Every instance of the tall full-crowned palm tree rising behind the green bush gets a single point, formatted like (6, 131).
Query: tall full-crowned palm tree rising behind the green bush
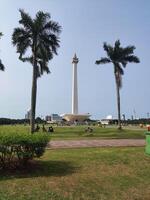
(39, 37)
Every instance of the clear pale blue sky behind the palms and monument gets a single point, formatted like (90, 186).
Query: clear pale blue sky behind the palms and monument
(85, 25)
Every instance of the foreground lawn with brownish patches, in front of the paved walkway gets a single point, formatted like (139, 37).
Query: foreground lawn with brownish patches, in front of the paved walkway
(87, 174)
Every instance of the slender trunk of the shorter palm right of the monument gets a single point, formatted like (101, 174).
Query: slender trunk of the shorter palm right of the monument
(118, 103)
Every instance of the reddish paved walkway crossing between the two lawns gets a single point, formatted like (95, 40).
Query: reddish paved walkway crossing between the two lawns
(97, 143)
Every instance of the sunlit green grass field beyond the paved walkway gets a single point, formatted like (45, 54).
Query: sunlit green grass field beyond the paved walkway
(78, 132)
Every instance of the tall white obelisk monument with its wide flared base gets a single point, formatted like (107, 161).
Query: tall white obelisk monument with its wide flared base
(75, 116)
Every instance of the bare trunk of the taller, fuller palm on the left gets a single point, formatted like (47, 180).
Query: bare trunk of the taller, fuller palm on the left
(33, 97)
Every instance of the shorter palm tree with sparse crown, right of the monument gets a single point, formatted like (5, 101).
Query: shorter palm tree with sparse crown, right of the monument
(119, 57)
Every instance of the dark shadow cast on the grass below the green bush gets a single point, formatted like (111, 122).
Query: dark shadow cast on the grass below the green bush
(40, 169)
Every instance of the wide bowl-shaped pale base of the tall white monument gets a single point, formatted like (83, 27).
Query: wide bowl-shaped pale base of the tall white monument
(76, 117)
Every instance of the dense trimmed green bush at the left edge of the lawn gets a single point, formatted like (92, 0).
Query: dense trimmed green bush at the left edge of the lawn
(17, 149)
